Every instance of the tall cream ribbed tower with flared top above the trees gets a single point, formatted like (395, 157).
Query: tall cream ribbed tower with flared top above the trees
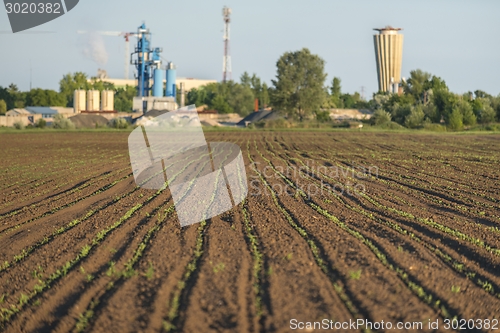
(389, 57)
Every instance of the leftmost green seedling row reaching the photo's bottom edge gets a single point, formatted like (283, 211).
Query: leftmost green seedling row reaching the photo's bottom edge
(129, 271)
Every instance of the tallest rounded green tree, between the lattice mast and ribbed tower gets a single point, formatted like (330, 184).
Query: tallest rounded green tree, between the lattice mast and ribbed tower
(298, 88)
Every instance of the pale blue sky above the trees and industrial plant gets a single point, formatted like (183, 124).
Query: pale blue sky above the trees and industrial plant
(454, 39)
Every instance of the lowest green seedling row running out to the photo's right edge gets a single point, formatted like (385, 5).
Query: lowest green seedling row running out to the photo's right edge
(459, 267)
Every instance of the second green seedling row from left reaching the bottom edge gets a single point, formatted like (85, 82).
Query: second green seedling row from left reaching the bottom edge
(169, 324)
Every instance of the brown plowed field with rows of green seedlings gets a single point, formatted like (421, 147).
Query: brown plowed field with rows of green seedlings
(337, 226)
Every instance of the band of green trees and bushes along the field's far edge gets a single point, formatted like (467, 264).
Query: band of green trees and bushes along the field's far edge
(300, 92)
